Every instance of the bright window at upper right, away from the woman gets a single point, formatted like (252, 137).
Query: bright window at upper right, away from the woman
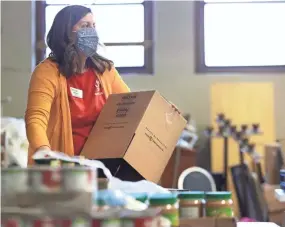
(240, 36)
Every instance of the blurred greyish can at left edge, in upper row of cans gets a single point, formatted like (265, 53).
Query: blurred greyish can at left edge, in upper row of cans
(14, 180)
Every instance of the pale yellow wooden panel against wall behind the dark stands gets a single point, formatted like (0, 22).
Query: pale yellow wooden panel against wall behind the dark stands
(243, 103)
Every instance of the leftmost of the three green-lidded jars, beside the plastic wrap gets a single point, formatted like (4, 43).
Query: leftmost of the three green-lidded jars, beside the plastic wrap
(168, 203)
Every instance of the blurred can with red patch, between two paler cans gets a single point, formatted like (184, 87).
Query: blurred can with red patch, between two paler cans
(46, 179)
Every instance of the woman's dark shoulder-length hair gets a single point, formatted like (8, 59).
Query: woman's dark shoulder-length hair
(62, 43)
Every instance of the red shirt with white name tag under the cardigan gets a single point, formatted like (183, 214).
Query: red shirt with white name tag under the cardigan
(86, 100)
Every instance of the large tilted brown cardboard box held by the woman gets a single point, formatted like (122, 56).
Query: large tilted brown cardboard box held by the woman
(135, 135)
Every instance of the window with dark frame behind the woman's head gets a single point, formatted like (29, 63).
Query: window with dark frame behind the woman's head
(124, 26)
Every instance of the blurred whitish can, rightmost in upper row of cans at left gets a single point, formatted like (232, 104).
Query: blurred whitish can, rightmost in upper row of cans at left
(78, 179)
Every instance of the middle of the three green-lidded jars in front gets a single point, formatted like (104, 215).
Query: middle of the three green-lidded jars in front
(191, 204)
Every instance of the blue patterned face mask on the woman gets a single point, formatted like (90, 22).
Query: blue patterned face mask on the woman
(87, 41)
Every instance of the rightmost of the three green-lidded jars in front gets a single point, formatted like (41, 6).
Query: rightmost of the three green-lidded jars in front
(219, 204)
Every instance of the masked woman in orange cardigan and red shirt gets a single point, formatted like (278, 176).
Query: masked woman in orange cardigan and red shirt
(68, 90)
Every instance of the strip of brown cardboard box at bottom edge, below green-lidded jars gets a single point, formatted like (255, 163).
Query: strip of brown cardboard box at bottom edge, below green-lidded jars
(208, 222)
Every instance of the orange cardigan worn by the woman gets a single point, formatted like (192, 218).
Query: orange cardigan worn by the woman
(48, 121)
